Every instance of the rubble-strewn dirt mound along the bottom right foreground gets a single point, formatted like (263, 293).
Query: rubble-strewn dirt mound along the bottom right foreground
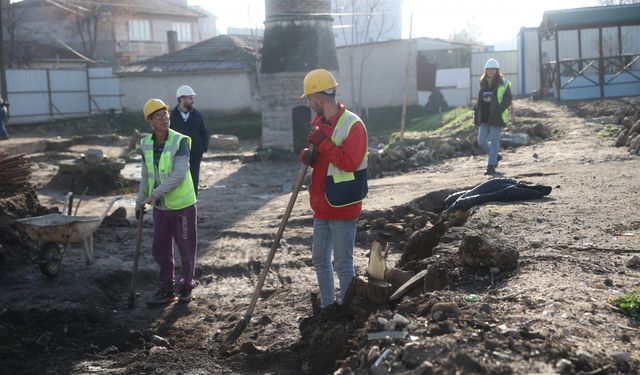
(471, 337)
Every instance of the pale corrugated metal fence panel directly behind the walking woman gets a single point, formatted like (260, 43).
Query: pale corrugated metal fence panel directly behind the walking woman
(508, 66)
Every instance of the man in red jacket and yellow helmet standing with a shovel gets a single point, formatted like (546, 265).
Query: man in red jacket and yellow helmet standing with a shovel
(338, 154)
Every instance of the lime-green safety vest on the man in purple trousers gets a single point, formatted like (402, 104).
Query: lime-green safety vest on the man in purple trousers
(184, 195)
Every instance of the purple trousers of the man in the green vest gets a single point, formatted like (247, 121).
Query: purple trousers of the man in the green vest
(181, 226)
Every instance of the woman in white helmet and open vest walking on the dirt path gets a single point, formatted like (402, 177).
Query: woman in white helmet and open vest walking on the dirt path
(492, 111)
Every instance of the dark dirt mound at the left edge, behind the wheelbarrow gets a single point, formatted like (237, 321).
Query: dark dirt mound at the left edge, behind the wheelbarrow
(15, 248)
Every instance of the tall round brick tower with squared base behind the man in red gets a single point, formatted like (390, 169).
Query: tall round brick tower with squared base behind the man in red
(298, 38)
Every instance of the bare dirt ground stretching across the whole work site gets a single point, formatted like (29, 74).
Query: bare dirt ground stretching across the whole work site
(552, 314)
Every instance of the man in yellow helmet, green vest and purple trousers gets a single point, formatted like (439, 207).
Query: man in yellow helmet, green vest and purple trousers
(166, 185)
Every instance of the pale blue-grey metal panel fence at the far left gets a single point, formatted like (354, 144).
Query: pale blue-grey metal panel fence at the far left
(46, 93)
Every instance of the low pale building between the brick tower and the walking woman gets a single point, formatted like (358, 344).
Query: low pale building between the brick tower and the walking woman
(379, 82)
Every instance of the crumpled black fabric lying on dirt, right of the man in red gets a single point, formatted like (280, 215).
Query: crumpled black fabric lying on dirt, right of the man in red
(495, 190)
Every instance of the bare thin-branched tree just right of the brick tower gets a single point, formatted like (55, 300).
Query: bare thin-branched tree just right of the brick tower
(369, 21)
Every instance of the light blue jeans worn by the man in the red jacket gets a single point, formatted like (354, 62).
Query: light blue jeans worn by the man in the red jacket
(339, 237)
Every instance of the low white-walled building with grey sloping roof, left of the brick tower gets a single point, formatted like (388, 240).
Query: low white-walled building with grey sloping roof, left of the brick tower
(221, 70)
